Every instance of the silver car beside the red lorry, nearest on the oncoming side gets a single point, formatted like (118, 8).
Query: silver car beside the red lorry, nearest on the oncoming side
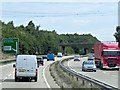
(89, 66)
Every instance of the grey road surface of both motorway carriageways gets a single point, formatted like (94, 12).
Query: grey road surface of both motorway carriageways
(46, 81)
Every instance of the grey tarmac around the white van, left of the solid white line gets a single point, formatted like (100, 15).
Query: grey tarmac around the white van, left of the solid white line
(10, 83)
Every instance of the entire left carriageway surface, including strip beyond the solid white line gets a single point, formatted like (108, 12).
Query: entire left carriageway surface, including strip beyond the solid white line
(44, 78)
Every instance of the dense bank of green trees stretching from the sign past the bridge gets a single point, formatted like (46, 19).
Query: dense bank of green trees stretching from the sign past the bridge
(35, 41)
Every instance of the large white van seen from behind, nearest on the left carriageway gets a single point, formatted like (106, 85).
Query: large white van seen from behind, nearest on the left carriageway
(26, 67)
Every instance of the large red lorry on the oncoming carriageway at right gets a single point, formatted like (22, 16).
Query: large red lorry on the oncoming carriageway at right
(107, 56)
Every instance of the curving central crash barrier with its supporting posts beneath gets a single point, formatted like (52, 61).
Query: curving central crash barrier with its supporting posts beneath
(84, 80)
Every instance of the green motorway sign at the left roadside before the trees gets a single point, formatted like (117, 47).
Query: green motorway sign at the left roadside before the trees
(10, 45)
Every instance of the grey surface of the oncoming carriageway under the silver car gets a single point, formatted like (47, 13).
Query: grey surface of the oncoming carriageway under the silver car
(109, 77)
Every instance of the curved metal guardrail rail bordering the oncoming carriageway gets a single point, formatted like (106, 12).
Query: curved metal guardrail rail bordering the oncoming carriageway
(101, 85)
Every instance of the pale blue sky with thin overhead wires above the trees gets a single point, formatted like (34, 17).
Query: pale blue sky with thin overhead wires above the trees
(100, 19)
